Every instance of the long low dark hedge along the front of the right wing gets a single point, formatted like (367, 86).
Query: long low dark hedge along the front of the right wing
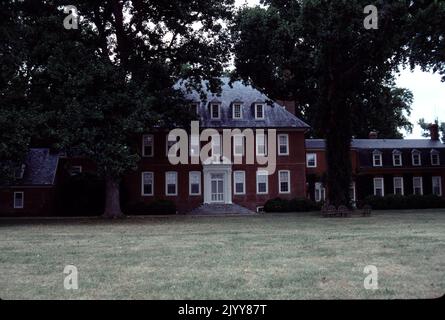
(398, 202)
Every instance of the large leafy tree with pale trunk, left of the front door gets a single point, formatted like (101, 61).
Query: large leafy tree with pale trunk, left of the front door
(112, 78)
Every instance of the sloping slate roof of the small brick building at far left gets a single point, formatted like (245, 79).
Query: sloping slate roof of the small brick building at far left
(41, 167)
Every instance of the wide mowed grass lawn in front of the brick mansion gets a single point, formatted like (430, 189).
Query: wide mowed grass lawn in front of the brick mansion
(292, 256)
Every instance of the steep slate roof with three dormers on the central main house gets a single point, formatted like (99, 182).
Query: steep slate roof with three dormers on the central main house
(276, 116)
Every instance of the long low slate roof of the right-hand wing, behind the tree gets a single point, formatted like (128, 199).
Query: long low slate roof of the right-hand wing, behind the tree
(382, 144)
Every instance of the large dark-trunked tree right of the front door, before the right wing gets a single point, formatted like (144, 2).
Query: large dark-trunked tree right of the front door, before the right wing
(341, 74)
